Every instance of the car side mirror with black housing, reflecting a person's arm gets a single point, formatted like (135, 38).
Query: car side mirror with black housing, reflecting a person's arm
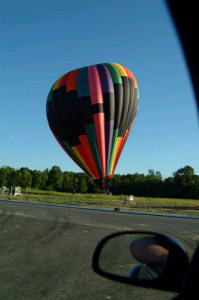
(142, 258)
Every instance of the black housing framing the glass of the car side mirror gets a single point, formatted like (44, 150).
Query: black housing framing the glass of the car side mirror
(172, 273)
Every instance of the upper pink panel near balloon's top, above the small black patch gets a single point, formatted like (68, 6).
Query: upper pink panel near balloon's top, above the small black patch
(94, 85)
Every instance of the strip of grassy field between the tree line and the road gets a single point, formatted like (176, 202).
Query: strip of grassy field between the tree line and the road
(181, 206)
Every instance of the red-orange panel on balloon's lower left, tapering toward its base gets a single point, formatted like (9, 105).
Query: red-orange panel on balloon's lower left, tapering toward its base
(85, 144)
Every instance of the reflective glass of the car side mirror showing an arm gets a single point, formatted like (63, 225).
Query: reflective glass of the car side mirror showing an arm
(134, 255)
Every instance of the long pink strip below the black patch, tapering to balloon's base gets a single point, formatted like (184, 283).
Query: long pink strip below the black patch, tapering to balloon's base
(99, 122)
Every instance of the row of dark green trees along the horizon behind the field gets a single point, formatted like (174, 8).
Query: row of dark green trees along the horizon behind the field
(183, 184)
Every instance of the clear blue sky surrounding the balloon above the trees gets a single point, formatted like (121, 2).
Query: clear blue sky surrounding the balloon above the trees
(42, 40)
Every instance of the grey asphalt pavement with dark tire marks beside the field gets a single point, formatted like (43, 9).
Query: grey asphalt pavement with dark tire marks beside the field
(46, 252)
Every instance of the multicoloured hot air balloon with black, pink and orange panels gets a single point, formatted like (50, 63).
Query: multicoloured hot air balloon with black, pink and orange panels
(91, 112)
